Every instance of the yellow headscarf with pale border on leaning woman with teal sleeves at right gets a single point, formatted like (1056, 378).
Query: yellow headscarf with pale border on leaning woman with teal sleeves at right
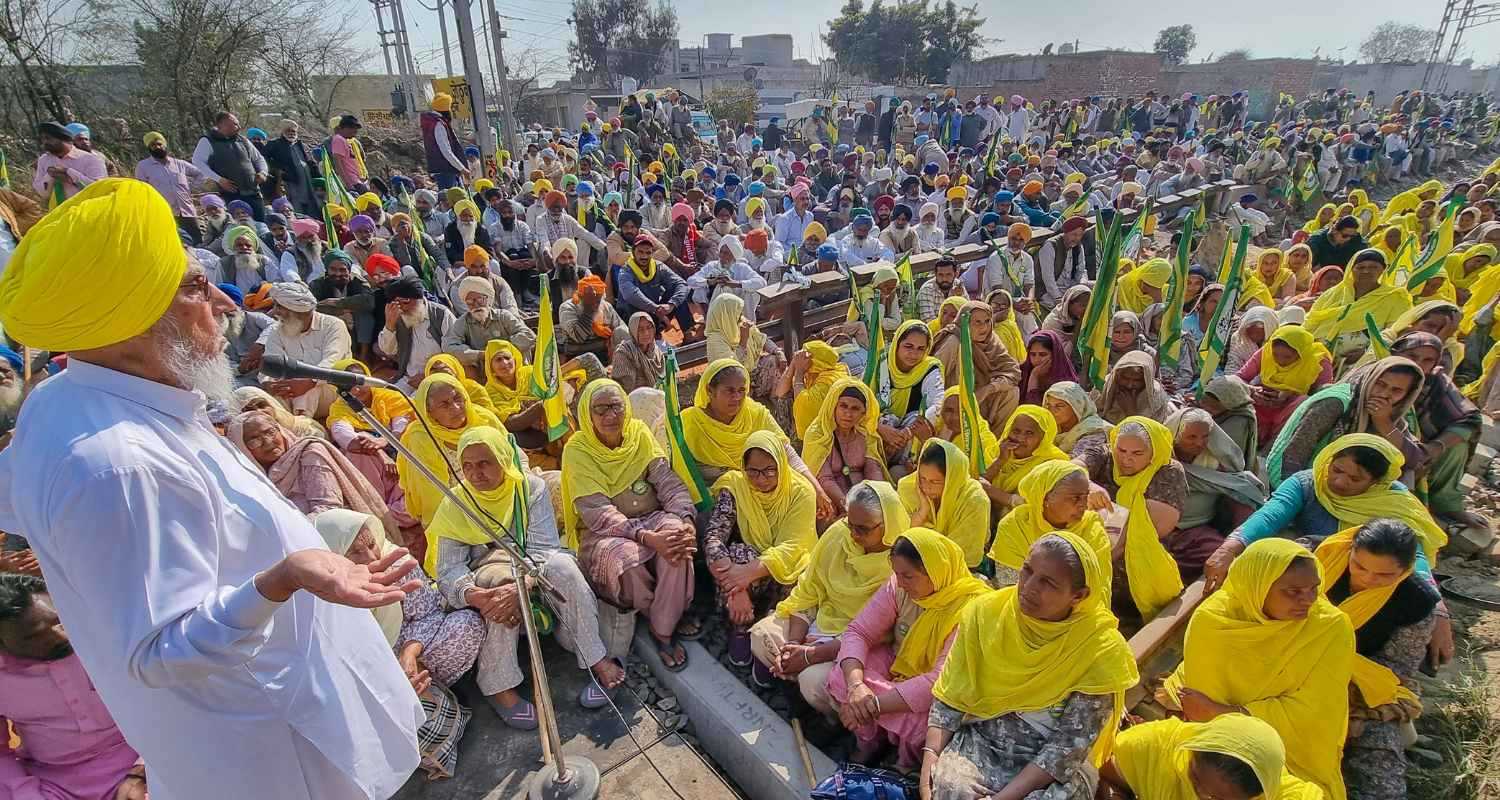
(1379, 501)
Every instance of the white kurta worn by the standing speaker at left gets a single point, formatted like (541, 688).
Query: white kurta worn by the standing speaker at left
(151, 529)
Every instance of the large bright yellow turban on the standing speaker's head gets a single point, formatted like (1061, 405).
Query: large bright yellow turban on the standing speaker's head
(59, 295)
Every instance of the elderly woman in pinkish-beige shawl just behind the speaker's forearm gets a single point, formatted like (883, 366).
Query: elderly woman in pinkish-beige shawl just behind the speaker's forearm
(310, 472)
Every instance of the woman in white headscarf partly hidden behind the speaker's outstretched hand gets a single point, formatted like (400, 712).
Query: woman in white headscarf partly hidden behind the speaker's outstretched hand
(433, 645)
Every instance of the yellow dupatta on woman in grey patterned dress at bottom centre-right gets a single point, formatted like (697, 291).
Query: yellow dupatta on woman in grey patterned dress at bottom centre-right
(1007, 663)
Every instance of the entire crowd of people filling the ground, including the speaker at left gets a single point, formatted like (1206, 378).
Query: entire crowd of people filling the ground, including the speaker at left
(928, 523)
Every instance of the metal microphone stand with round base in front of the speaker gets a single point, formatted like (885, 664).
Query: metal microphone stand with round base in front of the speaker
(562, 778)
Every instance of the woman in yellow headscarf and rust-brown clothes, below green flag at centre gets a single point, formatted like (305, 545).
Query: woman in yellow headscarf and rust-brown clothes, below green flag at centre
(844, 444)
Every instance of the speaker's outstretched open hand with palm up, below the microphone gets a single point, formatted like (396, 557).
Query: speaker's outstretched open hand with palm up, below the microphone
(335, 579)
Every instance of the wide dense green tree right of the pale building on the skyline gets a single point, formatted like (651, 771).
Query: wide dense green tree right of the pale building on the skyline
(907, 43)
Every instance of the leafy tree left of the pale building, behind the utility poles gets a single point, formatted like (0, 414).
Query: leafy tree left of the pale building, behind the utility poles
(622, 38)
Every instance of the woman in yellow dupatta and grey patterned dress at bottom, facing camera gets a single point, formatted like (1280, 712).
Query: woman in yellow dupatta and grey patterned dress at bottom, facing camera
(1034, 687)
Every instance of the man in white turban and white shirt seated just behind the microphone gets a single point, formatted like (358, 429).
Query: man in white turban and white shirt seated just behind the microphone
(304, 334)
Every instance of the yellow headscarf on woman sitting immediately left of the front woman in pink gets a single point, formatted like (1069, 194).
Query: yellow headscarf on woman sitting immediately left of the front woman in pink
(841, 576)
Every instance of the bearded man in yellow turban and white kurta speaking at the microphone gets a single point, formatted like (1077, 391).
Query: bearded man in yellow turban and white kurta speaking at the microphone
(212, 619)
